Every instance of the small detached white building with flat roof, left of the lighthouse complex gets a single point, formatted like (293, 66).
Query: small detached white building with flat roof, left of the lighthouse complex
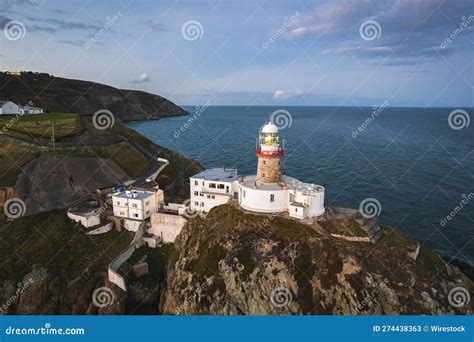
(137, 204)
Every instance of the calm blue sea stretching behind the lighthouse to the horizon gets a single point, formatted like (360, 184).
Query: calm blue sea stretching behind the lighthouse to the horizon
(409, 159)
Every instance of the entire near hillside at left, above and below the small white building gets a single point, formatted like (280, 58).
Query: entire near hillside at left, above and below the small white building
(48, 264)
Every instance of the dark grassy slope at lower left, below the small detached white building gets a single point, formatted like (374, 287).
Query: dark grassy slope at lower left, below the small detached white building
(53, 241)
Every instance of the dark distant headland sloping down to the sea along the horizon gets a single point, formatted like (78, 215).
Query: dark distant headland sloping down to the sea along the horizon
(57, 94)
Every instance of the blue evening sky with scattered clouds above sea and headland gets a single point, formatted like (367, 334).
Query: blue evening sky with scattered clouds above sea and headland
(251, 52)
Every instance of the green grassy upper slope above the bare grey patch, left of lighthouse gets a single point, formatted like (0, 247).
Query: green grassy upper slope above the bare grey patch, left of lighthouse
(108, 144)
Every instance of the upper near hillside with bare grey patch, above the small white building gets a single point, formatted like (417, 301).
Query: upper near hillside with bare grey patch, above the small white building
(82, 159)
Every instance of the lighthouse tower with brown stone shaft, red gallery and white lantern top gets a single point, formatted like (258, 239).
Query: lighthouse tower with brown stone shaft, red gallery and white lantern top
(269, 153)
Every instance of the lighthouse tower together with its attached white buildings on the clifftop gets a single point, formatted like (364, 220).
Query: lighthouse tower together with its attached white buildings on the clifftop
(269, 191)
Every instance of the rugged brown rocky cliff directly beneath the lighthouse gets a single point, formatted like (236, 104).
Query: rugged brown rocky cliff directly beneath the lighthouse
(233, 263)
